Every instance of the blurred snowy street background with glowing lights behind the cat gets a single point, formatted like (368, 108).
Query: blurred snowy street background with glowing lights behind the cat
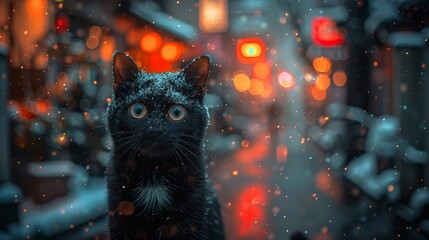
(319, 112)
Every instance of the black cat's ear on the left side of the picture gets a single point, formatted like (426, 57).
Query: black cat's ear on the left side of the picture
(124, 69)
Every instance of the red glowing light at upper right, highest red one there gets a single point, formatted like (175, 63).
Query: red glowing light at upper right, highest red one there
(324, 32)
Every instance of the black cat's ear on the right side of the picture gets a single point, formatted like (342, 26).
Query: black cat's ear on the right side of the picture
(196, 73)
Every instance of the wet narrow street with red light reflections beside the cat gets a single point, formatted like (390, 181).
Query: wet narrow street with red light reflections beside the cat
(280, 183)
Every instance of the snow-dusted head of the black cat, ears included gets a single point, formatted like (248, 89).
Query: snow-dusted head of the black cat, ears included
(158, 113)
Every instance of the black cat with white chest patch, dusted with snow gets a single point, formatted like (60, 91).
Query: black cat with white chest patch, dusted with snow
(157, 182)
